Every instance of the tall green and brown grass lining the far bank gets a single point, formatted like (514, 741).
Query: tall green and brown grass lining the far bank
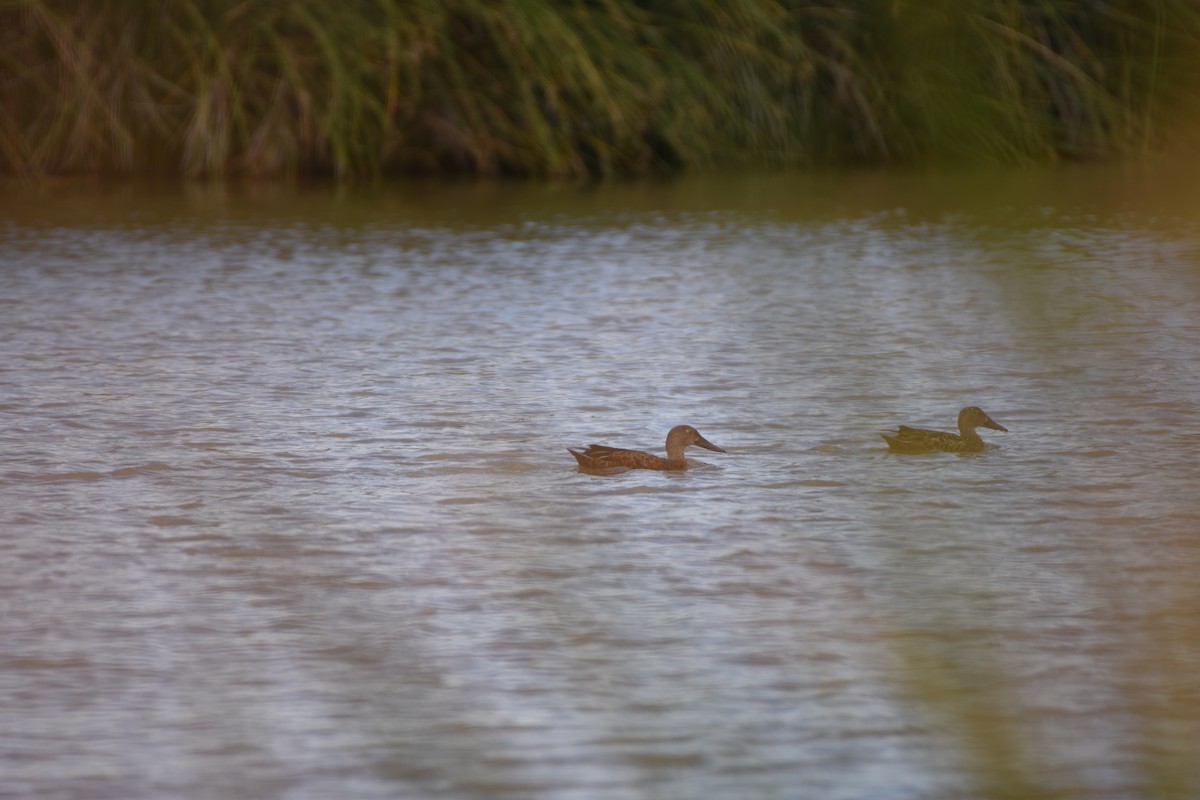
(542, 87)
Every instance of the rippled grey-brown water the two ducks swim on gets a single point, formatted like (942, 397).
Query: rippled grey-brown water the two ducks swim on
(287, 510)
